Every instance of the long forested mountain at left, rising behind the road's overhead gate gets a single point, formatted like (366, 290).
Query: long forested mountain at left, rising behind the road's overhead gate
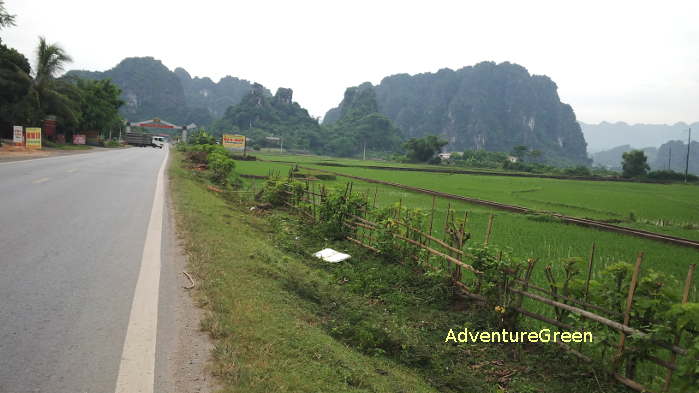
(150, 90)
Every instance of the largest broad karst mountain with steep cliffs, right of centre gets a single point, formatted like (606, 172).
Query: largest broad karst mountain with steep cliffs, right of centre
(487, 106)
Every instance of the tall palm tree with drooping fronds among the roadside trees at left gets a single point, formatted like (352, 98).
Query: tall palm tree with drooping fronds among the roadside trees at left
(54, 97)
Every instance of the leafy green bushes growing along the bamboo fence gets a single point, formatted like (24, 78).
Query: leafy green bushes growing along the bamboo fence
(656, 305)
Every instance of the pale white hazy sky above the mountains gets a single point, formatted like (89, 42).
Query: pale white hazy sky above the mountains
(633, 61)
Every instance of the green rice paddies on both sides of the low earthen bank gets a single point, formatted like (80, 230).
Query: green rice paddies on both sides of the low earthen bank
(538, 236)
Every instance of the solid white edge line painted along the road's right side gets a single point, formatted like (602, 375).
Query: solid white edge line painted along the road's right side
(137, 368)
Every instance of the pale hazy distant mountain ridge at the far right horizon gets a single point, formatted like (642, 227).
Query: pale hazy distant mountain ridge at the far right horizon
(605, 135)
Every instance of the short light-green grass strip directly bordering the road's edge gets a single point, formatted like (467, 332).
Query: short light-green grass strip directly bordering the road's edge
(265, 341)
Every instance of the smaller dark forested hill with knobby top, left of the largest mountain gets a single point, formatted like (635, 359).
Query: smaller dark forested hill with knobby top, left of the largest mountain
(263, 118)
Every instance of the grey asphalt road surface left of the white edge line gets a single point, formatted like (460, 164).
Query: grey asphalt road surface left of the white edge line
(72, 238)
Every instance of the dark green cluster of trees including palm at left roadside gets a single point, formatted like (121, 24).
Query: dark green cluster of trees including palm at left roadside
(30, 96)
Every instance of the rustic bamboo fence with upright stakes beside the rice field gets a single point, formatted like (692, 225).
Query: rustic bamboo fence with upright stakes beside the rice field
(450, 250)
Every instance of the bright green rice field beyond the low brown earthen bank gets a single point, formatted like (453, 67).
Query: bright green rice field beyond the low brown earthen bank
(668, 209)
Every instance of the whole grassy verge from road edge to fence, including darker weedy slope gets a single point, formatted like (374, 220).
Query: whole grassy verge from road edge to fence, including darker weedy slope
(285, 322)
